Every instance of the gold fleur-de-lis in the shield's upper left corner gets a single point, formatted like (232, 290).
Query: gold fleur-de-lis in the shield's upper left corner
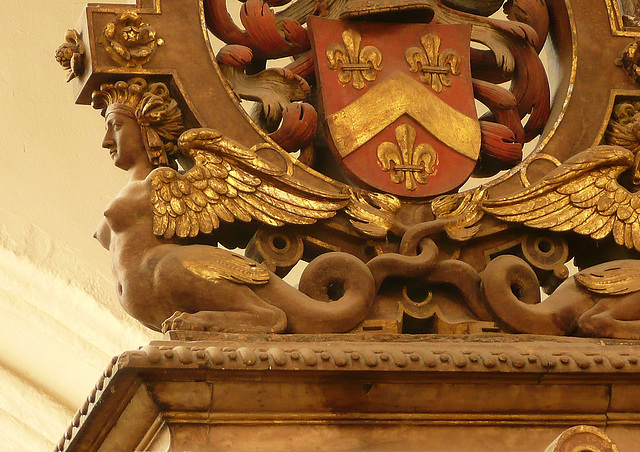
(354, 65)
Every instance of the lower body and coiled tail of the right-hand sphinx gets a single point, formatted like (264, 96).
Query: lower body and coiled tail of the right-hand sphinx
(600, 301)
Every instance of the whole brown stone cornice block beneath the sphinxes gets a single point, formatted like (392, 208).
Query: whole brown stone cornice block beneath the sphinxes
(364, 392)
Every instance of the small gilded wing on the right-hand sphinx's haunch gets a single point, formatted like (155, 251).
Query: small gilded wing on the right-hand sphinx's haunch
(612, 278)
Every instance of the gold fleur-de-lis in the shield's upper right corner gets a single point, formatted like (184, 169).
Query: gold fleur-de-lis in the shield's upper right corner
(434, 67)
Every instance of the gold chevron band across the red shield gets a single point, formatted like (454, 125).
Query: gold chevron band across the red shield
(396, 95)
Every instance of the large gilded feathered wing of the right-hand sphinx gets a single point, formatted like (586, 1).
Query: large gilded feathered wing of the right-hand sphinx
(582, 195)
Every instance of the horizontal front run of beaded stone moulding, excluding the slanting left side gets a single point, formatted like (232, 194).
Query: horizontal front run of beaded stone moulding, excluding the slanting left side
(482, 353)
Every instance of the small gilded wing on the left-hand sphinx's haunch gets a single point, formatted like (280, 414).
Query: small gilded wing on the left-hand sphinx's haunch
(220, 264)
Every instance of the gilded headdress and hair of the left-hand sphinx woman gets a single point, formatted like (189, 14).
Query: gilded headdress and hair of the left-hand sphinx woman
(157, 113)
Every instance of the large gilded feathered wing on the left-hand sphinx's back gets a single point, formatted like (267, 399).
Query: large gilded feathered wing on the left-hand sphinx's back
(229, 182)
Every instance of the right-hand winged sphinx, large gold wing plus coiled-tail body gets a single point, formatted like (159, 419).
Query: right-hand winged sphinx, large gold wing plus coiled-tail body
(587, 194)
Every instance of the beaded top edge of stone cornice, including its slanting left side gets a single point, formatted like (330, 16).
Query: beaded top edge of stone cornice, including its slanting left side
(476, 358)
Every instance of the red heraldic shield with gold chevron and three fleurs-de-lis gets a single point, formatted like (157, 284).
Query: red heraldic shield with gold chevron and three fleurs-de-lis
(398, 103)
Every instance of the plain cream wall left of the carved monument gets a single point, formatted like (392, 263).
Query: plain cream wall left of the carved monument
(60, 322)
